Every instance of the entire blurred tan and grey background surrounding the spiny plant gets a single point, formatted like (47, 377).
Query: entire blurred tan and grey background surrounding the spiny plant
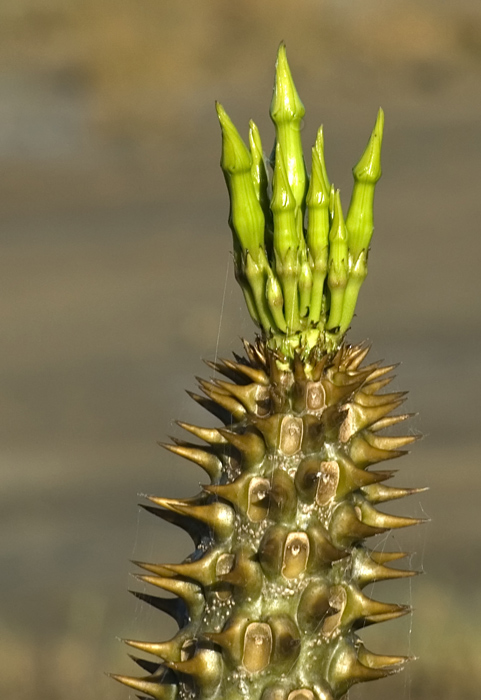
(115, 281)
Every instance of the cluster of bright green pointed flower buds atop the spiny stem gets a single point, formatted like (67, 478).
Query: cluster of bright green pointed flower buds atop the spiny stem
(299, 262)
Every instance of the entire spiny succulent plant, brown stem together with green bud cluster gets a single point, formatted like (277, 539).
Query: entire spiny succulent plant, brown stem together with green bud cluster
(270, 602)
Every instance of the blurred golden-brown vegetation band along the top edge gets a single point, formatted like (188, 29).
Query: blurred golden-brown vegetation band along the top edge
(143, 65)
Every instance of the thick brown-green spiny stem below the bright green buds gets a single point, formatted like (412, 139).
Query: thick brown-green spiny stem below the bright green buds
(270, 602)
